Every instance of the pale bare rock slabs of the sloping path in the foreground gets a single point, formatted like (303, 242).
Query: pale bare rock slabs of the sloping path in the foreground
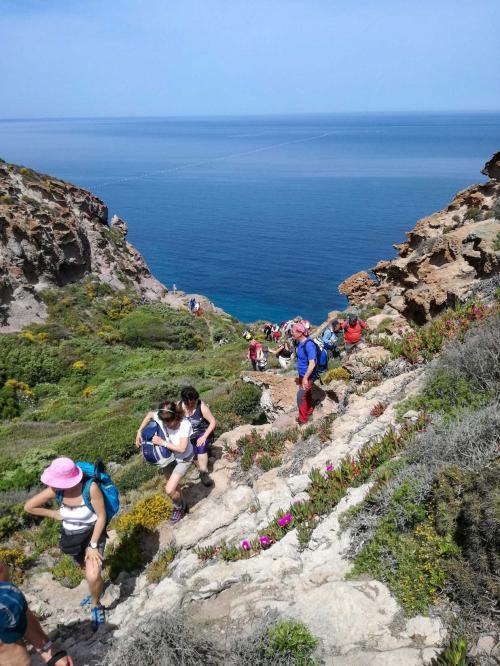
(357, 621)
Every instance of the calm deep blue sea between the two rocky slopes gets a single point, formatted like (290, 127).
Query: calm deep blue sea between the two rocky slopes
(264, 215)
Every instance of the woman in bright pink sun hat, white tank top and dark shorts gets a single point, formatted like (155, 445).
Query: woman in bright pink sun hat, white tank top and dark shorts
(83, 528)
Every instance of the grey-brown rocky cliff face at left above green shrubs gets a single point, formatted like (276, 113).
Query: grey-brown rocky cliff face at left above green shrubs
(53, 233)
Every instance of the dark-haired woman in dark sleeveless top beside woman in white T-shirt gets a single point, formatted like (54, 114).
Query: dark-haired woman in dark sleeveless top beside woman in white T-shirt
(203, 424)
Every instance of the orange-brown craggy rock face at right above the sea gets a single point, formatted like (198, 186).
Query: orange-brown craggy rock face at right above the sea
(447, 254)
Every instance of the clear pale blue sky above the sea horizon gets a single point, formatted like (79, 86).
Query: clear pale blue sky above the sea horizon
(93, 58)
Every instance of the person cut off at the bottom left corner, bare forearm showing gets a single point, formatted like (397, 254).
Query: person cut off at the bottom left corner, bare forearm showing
(18, 623)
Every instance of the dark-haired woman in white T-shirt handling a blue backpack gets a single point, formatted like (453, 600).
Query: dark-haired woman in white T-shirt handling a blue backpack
(174, 435)
